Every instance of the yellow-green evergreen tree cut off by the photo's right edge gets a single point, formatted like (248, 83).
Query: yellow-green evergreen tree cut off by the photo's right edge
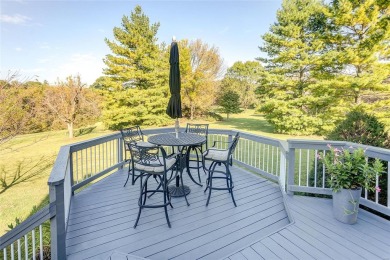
(358, 44)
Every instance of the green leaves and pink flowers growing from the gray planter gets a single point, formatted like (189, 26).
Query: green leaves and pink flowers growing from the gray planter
(350, 170)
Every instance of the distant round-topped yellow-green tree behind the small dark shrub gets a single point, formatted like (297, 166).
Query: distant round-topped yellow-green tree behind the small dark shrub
(243, 77)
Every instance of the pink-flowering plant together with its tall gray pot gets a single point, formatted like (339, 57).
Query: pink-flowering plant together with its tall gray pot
(349, 172)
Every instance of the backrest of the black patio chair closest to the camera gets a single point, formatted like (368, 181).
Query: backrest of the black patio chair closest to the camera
(153, 156)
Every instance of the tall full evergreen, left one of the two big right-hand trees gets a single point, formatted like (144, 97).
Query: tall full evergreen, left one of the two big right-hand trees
(293, 100)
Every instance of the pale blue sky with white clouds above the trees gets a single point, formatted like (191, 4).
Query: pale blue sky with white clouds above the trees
(50, 40)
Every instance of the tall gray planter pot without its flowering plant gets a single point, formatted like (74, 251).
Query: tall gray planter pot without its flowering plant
(346, 205)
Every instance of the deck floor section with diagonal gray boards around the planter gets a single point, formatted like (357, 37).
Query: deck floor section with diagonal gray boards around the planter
(317, 235)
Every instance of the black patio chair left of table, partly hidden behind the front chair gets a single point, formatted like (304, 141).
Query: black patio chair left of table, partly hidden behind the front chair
(132, 135)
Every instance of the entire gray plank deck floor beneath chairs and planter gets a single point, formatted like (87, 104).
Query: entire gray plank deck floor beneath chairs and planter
(102, 218)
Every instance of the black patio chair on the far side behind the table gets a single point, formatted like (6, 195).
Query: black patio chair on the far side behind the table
(200, 129)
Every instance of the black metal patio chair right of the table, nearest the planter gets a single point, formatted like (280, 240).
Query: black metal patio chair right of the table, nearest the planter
(219, 157)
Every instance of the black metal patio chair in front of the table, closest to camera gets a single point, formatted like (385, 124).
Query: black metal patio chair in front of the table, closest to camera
(153, 162)
